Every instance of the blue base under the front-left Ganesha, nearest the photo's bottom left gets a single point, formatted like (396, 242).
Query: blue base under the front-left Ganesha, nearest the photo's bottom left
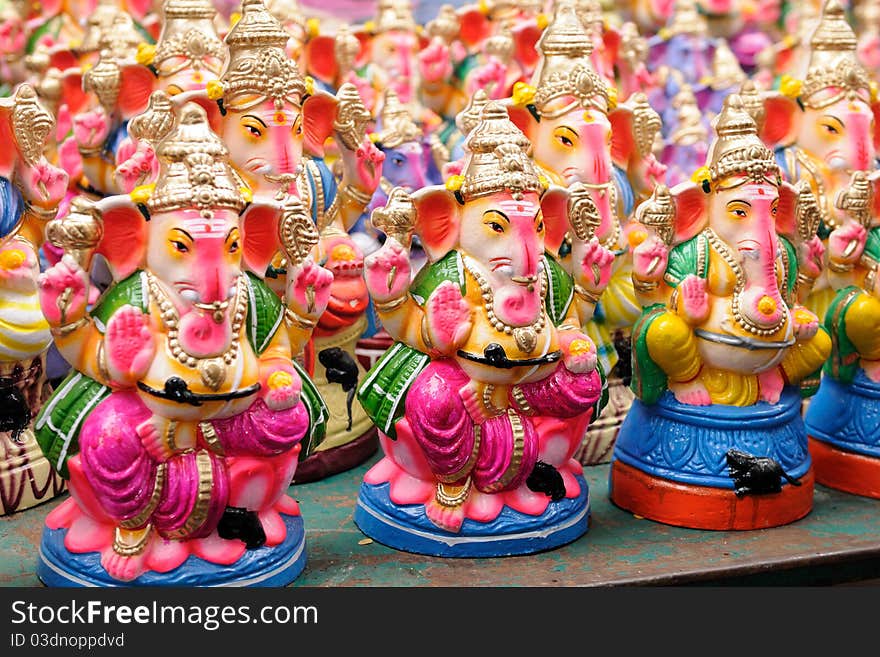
(265, 566)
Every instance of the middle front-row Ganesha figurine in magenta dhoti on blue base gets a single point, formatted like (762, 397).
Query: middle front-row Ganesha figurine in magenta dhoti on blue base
(484, 397)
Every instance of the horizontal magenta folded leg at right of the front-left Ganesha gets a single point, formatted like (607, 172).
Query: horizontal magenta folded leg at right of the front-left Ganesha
(258, 431)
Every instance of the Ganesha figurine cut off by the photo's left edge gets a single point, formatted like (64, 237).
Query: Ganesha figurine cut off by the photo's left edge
(30, 189)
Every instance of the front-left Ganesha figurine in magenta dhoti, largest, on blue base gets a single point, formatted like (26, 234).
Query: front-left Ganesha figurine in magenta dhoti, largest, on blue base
(180, 427)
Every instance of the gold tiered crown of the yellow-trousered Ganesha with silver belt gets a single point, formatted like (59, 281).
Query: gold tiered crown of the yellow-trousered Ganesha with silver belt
(738, 155)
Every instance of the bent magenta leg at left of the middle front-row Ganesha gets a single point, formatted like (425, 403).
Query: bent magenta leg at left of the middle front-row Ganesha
(440, 422)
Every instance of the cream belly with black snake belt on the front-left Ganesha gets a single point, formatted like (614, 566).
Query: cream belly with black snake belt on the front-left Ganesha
(240, 375)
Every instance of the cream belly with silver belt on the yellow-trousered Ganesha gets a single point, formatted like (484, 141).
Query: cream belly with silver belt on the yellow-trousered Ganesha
(725, 345)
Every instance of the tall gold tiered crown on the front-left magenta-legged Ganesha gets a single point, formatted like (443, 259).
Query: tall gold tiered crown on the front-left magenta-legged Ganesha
(194, 170)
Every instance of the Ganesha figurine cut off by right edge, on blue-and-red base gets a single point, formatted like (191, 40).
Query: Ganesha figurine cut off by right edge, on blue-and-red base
(842, 419)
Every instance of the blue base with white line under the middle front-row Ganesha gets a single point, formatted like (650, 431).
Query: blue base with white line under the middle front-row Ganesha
(407, 528)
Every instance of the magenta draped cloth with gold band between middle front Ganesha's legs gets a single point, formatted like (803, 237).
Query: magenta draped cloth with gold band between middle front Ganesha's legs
(508, 452)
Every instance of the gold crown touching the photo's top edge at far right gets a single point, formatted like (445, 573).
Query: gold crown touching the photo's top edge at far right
(834, 70)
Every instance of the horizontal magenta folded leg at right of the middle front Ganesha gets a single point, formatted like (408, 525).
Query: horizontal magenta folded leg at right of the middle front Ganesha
(562, 394)
